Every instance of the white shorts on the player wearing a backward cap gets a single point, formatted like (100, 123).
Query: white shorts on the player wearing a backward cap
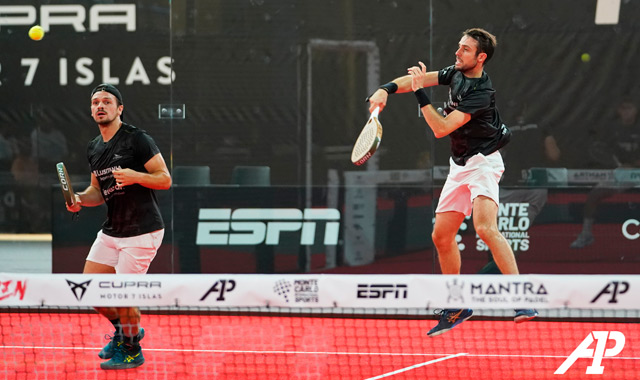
(131, 255)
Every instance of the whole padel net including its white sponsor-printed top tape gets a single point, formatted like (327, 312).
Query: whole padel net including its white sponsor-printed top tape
(229, 326)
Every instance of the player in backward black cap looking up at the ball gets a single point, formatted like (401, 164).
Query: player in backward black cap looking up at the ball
(126, 168)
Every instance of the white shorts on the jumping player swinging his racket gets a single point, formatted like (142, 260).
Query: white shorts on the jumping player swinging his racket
(480, 176)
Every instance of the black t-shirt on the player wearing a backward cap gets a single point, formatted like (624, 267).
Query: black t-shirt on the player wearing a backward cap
(132, 210)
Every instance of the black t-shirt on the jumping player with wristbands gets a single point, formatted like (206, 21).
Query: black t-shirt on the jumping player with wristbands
(485, 132)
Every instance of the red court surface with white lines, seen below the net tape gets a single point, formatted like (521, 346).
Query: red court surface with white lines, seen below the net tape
(180, 347)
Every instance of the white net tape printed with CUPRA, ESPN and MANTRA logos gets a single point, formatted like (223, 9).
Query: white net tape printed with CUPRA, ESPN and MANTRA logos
(323, 291)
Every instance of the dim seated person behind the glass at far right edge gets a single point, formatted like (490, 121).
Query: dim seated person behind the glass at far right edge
(624, 152)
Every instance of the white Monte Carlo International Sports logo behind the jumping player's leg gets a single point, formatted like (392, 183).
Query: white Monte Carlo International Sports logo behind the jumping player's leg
(513, 222)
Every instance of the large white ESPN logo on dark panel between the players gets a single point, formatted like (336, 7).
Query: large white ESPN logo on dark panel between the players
(253, 226)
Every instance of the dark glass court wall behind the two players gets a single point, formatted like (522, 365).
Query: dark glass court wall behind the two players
(256, 104)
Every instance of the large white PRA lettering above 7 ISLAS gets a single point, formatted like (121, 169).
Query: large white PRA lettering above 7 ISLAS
(74, 15)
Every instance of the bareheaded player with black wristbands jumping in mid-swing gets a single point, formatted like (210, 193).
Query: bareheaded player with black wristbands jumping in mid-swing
(476, 132)
